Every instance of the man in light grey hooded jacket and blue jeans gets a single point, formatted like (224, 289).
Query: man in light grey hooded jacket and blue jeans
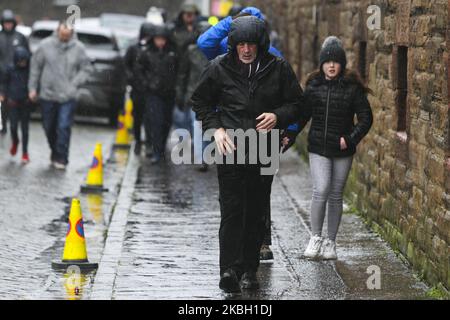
(58, 68)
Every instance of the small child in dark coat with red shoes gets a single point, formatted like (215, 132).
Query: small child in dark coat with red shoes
(14, 90)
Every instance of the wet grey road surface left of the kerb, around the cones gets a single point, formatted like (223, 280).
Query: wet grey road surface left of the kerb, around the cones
(34, 208)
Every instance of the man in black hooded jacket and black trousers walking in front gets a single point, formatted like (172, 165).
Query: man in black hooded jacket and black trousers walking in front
(252, 90)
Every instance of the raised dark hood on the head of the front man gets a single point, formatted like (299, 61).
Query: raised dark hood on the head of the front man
(248, 29)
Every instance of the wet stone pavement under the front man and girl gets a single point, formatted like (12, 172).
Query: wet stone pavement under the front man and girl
(163, 243)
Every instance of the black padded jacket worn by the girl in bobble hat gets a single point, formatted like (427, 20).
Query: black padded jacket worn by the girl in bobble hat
(332, 106)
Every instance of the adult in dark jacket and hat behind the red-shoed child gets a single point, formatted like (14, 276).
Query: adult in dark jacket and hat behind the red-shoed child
(9, 40)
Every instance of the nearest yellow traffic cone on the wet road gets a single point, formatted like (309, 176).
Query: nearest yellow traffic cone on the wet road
(75, 252)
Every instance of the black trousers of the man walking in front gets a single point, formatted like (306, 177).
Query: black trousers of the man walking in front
(244, 198)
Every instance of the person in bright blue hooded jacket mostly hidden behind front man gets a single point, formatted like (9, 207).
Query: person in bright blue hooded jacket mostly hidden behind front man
(213, 43)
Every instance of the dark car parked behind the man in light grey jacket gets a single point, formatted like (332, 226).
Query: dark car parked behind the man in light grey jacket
(104, 92)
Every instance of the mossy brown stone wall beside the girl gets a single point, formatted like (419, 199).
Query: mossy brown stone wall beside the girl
(400, 179)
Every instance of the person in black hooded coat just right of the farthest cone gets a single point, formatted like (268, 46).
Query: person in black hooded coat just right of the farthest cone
(157, 71)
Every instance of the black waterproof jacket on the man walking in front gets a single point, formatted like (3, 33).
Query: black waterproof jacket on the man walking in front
(240, 100)
